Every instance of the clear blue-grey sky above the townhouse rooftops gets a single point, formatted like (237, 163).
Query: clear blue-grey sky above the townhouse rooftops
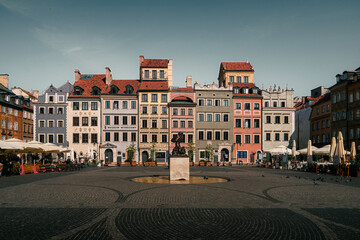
(300, 43)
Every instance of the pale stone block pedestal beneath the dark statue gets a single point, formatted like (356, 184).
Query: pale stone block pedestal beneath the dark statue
(179, 168)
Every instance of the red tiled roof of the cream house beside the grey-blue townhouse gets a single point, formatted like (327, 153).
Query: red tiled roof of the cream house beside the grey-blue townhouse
(97, 80)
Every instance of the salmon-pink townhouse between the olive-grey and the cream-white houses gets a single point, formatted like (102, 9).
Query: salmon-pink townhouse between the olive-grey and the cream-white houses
(247, 104)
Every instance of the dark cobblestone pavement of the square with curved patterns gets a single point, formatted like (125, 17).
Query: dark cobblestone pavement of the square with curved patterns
(102, 203)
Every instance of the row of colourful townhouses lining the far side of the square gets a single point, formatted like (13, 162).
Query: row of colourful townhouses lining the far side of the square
(104, 117)
